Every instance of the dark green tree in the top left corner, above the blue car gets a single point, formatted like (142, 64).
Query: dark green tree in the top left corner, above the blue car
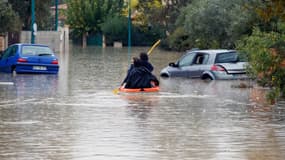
(9, 19)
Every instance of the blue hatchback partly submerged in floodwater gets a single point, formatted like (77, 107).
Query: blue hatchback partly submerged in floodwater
(29, 58)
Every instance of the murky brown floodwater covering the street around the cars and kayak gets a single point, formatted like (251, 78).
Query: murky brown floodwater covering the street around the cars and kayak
(75, 115)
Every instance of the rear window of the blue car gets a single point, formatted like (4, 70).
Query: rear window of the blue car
(36, 51)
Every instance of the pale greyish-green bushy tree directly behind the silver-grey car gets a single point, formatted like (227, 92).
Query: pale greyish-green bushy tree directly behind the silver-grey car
(215, 23)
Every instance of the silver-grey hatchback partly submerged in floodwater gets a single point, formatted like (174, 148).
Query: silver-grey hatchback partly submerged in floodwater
(208, 64)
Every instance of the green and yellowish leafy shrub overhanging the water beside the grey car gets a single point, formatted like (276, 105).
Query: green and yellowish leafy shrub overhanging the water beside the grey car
(265, 52)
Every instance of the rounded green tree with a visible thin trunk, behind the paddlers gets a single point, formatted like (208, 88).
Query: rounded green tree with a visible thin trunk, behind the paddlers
(86, 16)
